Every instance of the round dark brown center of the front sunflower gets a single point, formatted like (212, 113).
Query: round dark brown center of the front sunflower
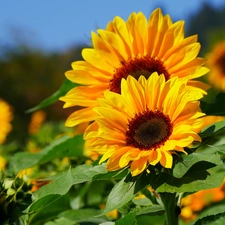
(148, 130)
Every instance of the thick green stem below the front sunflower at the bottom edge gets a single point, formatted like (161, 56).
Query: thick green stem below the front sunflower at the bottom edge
(169, 201)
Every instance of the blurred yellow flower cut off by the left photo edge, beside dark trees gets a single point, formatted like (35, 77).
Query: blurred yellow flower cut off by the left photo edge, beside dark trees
(5, 119)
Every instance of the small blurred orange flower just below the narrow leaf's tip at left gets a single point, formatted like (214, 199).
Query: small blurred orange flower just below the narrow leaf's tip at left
(37, 120)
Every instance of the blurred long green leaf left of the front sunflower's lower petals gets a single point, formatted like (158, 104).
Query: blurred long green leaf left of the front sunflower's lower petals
(62, 147)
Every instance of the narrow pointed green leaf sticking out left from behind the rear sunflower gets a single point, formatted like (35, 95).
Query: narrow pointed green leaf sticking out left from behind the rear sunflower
(64, 88)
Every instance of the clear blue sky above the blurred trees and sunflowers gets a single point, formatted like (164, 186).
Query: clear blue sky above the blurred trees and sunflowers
(56, 25)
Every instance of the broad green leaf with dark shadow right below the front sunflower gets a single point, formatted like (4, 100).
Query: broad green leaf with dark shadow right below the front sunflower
(198, 176)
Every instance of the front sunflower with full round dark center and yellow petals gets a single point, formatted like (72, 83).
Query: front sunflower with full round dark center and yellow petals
(145, 124)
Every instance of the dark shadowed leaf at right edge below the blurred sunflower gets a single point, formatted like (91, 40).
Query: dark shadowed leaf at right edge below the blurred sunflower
(217, 107)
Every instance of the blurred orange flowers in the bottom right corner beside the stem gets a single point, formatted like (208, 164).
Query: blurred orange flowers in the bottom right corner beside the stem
(194, 203)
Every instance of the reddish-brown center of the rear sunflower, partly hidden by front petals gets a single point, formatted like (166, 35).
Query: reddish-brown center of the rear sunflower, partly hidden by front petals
(136, 67)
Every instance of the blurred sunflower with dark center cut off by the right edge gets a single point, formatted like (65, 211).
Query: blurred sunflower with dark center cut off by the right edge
(216, 63)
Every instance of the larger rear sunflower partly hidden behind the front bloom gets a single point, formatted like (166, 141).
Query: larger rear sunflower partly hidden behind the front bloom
(138, 46)
